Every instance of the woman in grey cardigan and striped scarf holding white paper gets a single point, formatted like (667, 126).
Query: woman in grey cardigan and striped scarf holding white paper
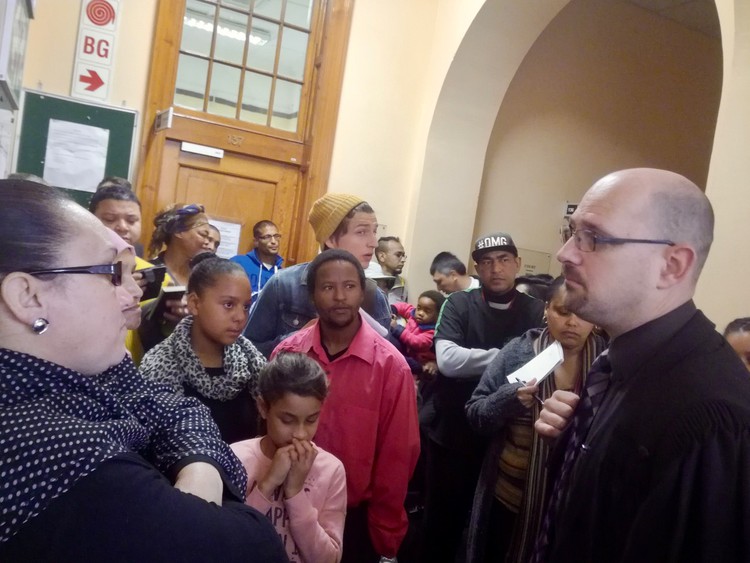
(510, 493)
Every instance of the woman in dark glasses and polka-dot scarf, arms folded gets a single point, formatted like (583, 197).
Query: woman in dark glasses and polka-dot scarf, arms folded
(96, 462)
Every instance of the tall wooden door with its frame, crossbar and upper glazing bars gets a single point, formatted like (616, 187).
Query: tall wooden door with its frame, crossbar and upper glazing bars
(265, 173)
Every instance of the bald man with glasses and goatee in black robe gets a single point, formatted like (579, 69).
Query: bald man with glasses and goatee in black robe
(652, 462)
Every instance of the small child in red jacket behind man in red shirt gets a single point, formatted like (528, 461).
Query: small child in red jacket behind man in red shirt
(416, 336)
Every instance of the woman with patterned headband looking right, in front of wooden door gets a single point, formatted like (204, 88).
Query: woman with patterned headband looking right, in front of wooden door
(180, 232)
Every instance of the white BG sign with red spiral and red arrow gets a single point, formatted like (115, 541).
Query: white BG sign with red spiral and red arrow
(97, 31)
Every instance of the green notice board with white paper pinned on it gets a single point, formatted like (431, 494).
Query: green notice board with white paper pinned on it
(39, 109)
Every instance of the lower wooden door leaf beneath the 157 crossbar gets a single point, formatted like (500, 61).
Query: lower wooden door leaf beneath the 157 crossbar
(237, 188)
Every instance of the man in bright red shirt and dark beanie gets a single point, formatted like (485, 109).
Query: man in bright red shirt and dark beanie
(369, 419)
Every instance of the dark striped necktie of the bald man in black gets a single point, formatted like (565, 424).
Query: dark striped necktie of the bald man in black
(594, 390)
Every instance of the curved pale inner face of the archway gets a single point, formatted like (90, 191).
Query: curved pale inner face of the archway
(475, 83)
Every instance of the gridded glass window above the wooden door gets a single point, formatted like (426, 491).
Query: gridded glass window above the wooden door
(253, 60)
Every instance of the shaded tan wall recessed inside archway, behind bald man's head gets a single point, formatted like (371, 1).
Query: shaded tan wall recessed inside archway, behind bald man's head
(607, 86)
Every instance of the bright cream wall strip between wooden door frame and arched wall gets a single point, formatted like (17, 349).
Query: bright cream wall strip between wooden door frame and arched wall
(381, 105)
